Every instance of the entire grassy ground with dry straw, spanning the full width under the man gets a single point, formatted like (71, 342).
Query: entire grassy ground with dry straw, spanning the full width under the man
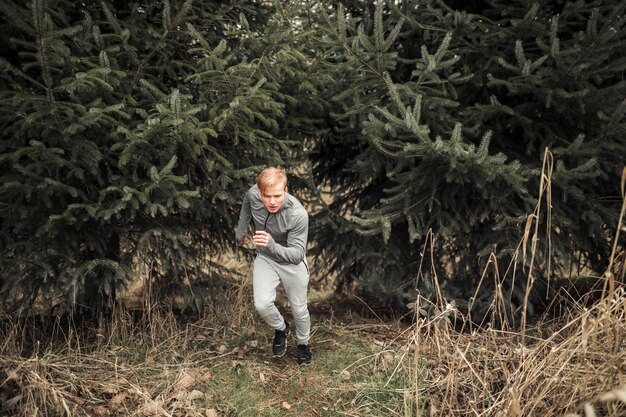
(219, 363)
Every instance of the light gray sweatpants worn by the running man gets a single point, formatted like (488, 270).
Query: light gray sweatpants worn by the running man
(266, 277)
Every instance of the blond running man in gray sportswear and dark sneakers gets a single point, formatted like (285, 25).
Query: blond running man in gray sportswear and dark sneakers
(281, 228)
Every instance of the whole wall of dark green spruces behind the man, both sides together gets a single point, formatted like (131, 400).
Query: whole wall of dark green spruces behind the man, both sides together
(130, 131)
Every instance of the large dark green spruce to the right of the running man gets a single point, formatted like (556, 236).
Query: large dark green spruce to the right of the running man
(443, 112)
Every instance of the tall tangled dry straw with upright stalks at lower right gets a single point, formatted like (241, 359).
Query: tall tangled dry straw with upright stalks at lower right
(571, 365)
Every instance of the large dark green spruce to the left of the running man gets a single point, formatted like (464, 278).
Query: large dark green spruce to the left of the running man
(129, 131)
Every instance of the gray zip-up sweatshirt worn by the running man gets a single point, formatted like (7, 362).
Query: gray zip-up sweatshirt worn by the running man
(288, 227)
